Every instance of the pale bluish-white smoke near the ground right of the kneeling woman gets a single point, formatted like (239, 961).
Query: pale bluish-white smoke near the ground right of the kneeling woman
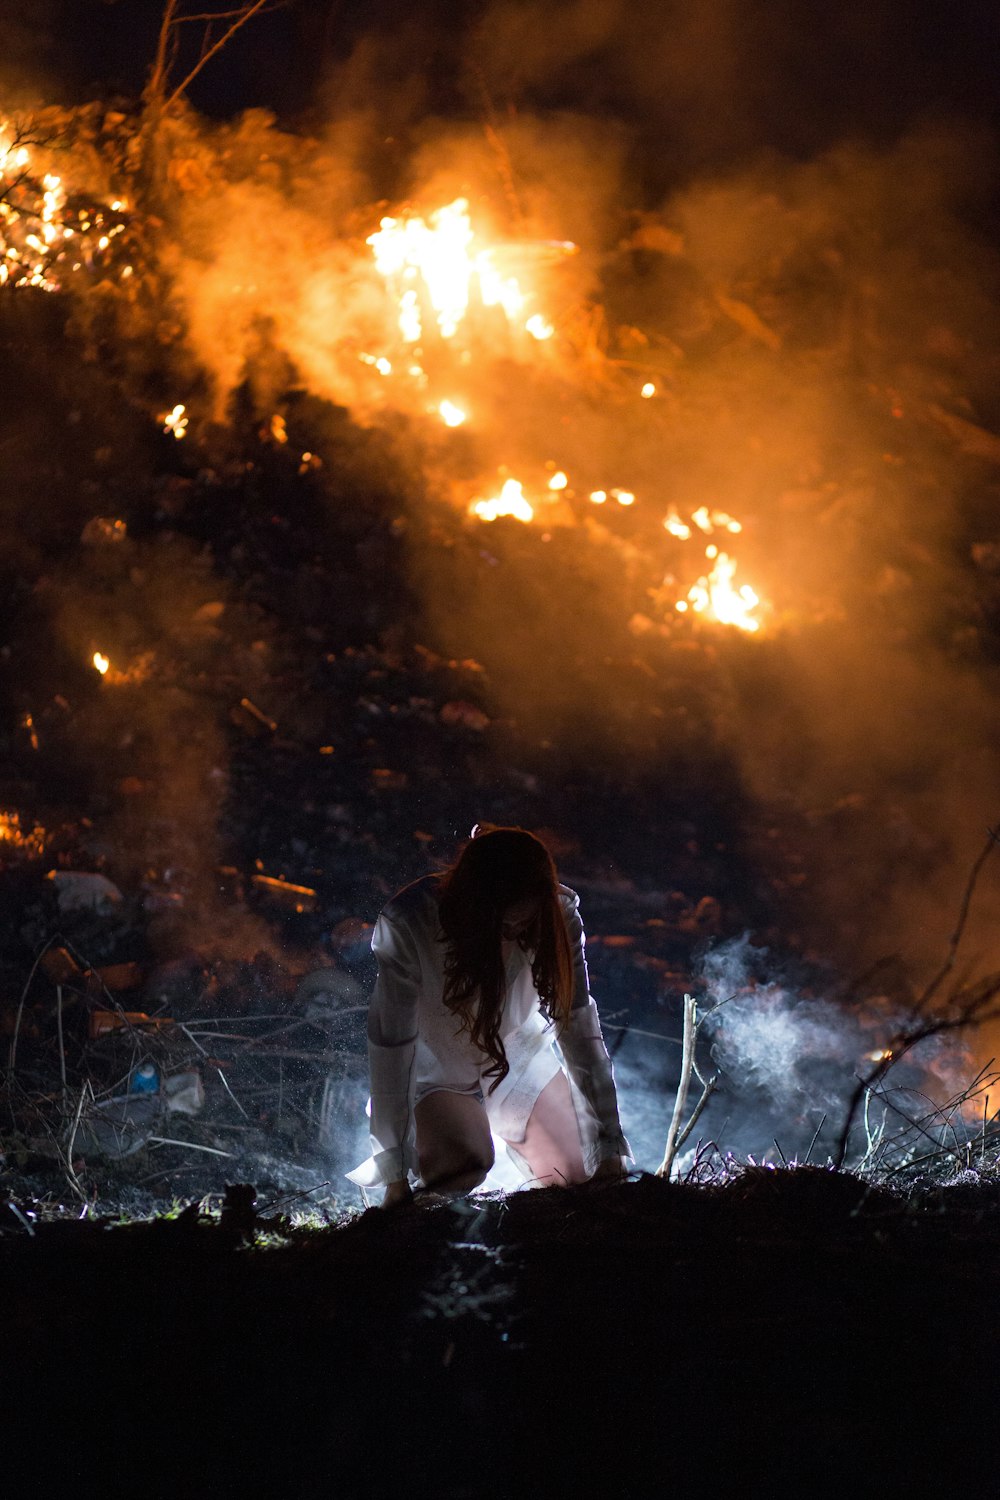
(788, 1063)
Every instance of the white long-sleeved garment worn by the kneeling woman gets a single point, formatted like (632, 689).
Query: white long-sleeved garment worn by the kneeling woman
(418, 1045)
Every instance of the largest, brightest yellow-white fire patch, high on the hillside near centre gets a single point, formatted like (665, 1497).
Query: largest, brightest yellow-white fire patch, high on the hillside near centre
(439, 266)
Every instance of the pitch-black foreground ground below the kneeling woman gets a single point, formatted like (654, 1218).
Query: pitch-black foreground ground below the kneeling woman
(785, 1334)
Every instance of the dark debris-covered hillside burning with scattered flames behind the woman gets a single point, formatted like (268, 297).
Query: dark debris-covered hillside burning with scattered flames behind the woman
(641, 527)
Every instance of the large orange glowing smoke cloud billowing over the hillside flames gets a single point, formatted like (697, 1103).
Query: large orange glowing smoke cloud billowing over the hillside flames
(777, 226)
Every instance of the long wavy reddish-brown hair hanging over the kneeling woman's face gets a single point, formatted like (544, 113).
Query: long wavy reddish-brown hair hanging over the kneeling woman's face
(499, 869)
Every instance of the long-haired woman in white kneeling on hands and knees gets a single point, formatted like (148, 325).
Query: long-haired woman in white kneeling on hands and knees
(481, 974)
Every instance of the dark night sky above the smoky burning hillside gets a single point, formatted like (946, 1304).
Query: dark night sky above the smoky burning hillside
(696, 83)
